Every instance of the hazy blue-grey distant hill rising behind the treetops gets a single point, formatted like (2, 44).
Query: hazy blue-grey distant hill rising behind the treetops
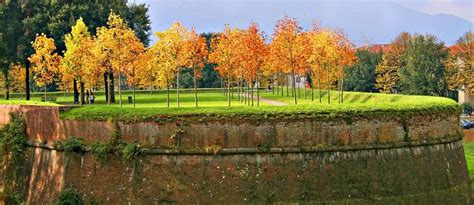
(364, 22)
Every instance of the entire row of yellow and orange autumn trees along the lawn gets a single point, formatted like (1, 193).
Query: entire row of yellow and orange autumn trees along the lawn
(242, 56)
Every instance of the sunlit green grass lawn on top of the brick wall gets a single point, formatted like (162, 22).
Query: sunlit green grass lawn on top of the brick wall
(213, 103)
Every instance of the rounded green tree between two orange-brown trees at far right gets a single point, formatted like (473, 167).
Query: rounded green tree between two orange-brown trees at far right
(424, 70)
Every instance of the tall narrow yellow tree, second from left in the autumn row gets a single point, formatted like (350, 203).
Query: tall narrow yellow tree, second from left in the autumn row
(78, 53)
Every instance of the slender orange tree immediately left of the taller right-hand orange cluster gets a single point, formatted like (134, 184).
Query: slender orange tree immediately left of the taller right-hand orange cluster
(194, 56)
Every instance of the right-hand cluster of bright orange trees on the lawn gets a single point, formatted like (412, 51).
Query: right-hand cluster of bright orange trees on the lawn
(244, 59)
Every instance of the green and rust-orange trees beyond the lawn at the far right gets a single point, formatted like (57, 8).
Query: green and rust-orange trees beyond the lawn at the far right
(415, 64)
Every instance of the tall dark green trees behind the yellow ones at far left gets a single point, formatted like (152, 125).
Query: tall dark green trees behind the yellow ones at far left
(21, 20)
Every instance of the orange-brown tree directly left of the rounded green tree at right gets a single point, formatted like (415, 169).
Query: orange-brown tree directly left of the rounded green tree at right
(387, 71)
